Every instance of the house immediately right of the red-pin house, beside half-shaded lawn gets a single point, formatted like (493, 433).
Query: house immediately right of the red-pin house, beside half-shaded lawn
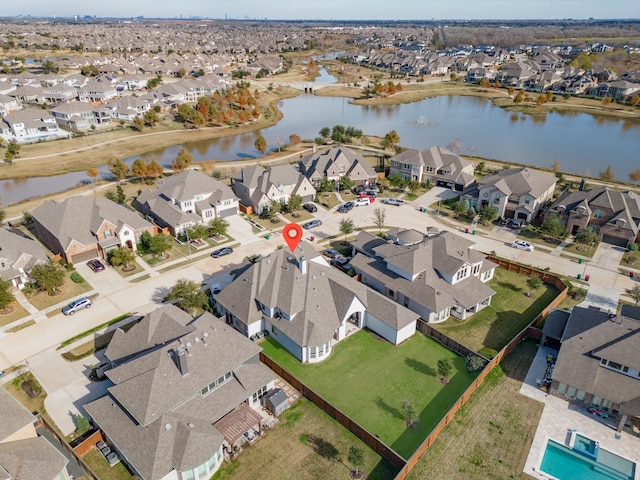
(436, 276)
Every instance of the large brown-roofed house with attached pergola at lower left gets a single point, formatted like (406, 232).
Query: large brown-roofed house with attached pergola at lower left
(175, 382)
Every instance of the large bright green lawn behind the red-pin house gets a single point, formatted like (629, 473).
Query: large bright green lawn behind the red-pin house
(367, 378)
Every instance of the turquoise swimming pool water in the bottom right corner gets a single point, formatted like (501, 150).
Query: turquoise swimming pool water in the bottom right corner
(565, 464)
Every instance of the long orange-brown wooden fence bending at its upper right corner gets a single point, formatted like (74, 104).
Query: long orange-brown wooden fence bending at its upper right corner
(495, 361)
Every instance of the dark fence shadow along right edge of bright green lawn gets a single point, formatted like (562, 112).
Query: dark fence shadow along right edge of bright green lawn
(412, 437)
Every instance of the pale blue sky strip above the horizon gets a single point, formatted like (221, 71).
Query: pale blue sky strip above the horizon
(330, 9)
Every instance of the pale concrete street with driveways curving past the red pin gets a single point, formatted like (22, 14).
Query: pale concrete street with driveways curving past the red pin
(67, 383)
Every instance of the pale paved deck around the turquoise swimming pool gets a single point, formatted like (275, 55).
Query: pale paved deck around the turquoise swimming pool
(559, 417)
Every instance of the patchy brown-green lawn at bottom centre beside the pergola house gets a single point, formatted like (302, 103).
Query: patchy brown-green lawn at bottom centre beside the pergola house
(301, 446)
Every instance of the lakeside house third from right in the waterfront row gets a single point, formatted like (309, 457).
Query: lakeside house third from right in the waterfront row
(434, 165)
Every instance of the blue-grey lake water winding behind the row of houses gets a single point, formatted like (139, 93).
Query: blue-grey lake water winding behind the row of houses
(584, 144)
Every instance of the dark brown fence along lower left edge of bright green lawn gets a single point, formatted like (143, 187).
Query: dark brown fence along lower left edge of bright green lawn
(343, 419)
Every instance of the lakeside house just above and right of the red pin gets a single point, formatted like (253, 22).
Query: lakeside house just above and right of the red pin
(335, 163)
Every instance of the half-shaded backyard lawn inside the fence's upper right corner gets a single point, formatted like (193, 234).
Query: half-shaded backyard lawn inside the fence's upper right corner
(510, 311)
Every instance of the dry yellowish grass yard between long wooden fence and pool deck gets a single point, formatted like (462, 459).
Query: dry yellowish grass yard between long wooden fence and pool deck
(491, 434)
